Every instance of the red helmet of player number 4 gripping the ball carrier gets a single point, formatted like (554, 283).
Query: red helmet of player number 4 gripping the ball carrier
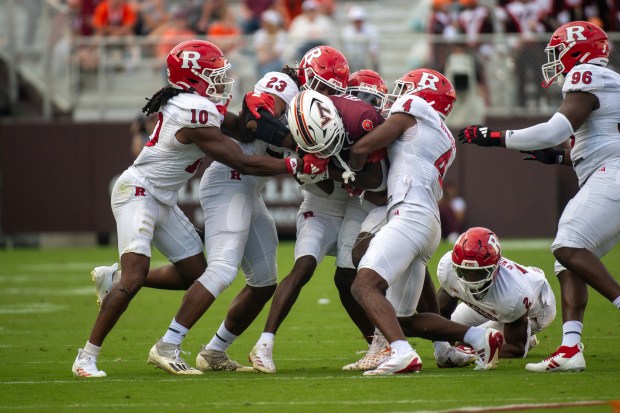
(428, 84)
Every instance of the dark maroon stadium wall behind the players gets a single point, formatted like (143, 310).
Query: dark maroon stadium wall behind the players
(57, 177)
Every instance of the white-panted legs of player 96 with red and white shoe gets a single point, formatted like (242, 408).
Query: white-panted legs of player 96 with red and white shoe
(586, 232)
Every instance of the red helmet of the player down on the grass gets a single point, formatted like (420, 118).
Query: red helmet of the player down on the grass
(475, 259)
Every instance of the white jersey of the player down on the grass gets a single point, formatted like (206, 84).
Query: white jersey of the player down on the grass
(515, 290)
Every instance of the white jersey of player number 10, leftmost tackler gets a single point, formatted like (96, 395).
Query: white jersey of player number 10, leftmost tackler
(165, 164)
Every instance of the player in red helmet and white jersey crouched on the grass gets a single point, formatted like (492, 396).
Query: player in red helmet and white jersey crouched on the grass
(494, 291)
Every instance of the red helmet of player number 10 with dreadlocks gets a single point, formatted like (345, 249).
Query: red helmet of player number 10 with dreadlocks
(200, 67)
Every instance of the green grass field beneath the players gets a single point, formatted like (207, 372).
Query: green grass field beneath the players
(47, 307)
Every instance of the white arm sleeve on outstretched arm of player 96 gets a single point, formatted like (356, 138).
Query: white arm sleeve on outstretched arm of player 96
(544, 135)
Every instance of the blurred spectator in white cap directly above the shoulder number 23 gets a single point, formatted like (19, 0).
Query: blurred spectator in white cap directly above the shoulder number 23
(269, 43)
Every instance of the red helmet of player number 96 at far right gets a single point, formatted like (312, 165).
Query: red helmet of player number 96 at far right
(571, 44)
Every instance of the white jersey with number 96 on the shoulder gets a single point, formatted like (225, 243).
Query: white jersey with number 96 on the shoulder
(597, 141)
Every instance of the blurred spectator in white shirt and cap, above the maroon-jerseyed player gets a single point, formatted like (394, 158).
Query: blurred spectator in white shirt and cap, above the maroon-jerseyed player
(360, 41)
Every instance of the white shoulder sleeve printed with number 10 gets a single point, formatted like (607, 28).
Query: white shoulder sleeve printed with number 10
(193, 111)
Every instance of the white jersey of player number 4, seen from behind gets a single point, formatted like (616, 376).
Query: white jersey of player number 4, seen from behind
(420, 157)
